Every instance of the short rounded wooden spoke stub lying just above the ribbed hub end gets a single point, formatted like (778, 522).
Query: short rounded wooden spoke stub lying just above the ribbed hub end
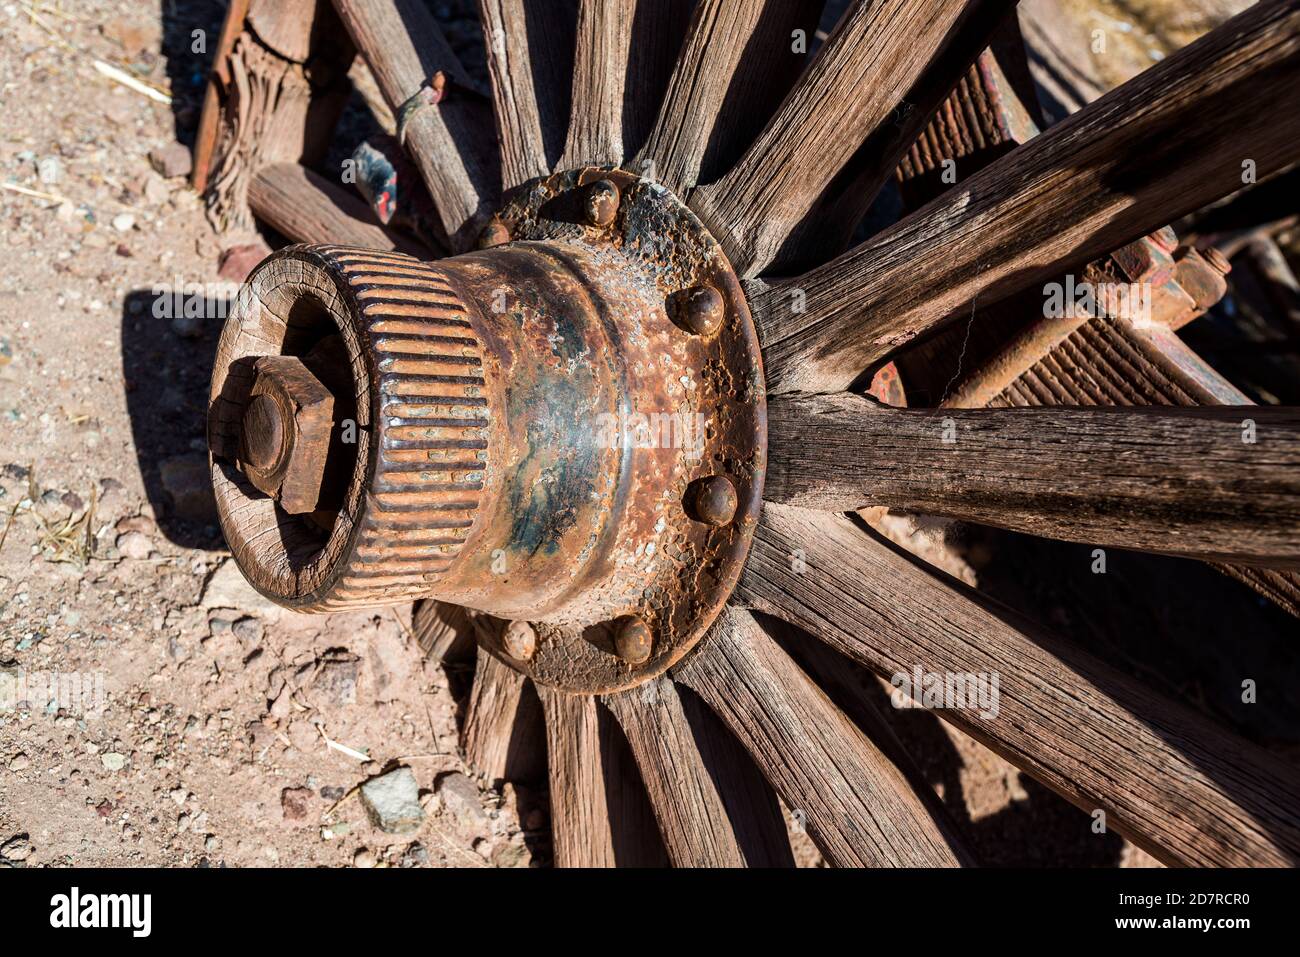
(309, 209)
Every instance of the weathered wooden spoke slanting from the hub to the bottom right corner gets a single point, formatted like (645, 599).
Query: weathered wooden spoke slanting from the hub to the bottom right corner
(1073, 722)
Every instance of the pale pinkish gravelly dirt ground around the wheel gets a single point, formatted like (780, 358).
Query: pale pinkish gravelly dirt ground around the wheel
(219, 730)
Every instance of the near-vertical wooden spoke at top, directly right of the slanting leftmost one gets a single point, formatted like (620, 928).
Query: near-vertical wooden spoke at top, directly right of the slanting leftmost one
(530, 57)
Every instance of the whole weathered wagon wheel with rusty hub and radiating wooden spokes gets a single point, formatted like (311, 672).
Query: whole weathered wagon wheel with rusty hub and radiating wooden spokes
(621, 427)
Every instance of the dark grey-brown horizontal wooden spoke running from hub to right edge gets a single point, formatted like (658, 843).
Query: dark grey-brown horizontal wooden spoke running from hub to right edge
(1212, 483)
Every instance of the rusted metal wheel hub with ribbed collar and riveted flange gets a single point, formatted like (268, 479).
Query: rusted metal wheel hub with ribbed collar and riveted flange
(566, 428)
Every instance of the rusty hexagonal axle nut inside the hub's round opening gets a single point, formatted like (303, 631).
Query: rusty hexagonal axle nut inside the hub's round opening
(285, 435)
